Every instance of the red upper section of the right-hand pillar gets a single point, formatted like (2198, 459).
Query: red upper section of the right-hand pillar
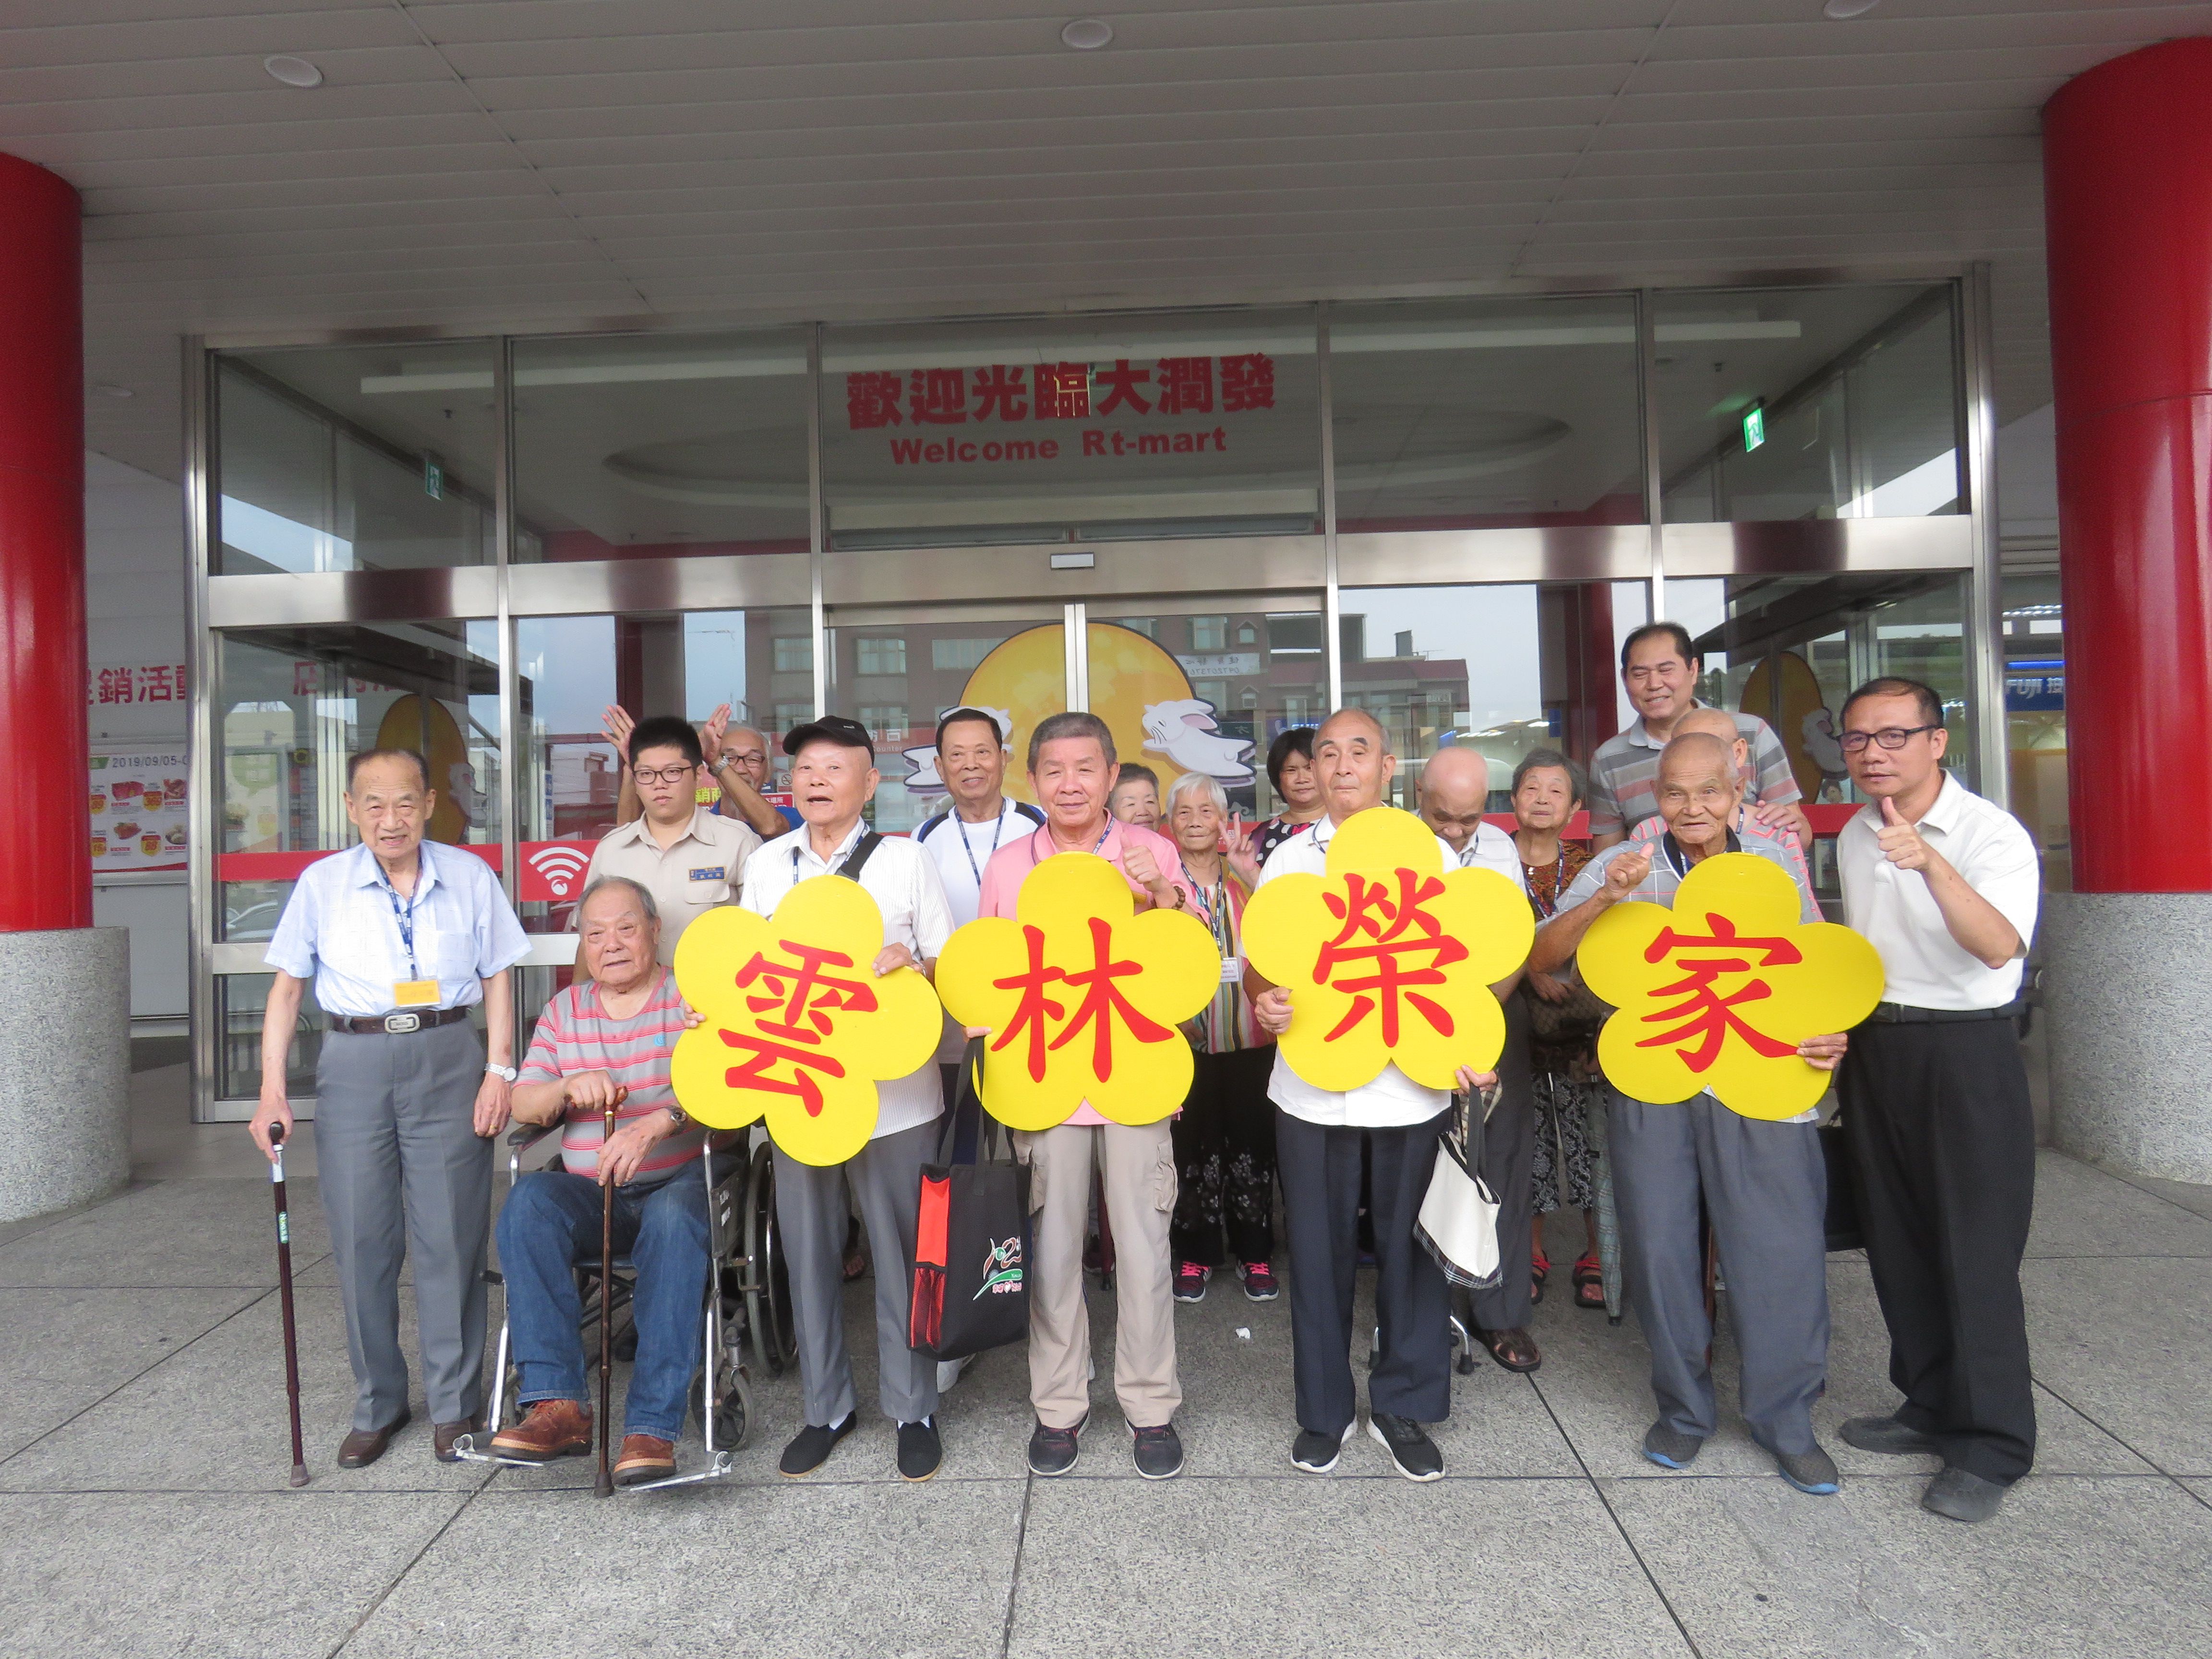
(2129, 194)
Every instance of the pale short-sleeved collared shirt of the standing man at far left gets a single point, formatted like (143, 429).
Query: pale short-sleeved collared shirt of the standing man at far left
(342, 928)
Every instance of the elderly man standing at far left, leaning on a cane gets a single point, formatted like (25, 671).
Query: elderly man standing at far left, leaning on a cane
(401, 939)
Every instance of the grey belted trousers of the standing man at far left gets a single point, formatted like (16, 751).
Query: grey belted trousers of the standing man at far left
(404, 1173)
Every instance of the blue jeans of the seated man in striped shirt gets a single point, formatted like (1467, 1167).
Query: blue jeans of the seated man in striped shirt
(550, 1224)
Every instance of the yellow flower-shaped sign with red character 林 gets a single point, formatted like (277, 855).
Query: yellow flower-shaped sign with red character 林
(1083, 997)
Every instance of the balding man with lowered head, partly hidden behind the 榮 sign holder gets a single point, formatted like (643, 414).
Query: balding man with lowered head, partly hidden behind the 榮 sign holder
(1454, 791)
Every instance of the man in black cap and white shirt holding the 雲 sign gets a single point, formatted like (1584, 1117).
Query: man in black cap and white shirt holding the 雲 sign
(833, 778)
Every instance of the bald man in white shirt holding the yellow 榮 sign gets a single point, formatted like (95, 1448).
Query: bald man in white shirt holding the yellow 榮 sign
(1319, 1138)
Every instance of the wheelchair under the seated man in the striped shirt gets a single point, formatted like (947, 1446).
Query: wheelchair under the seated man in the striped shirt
(749, 1300)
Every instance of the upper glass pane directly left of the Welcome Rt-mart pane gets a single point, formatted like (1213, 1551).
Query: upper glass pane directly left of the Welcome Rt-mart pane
(660, 446)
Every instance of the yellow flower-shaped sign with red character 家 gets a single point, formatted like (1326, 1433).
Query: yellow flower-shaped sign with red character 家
(1722, 990)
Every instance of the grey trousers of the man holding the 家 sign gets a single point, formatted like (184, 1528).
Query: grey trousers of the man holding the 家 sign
(1766, 1191)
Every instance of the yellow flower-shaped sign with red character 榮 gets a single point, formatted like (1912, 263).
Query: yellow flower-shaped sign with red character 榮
(1390, 959)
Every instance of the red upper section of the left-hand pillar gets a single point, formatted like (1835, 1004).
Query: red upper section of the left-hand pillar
(45, 826)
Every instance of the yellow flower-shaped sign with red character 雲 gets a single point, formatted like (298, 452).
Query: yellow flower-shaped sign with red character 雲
(797, 1023)
